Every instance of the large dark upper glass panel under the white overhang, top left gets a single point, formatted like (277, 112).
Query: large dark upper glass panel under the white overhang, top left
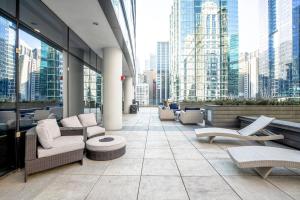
(36, 15)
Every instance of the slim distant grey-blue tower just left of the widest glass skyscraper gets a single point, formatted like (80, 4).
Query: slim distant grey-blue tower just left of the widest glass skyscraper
(162, 72)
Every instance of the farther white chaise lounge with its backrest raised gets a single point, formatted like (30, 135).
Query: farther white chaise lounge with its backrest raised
(247, 133)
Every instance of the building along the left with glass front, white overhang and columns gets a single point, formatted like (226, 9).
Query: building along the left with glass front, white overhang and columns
(45, 46)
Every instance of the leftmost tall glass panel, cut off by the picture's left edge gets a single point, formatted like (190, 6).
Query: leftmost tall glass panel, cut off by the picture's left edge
(7, 94)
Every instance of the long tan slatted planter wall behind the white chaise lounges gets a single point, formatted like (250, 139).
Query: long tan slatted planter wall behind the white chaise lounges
(227, 116)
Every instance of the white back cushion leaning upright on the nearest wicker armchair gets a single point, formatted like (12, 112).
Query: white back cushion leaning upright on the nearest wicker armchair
(44, 135)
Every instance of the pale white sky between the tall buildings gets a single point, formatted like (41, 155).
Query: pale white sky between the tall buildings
(153, 26)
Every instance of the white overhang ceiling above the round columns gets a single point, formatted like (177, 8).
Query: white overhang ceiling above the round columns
(80, 15)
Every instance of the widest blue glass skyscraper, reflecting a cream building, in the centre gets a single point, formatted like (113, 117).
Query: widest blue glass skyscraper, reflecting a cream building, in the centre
(204, 49)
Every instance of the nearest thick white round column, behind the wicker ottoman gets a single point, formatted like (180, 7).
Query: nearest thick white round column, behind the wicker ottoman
(112, 88)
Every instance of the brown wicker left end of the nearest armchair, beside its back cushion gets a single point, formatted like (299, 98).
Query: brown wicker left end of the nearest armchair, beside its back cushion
(30, 144)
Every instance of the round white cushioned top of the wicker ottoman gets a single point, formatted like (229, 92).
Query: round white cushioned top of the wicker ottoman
(94, 144)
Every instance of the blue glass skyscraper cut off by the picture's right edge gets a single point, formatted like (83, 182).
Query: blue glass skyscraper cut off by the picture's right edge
(279, 50)
